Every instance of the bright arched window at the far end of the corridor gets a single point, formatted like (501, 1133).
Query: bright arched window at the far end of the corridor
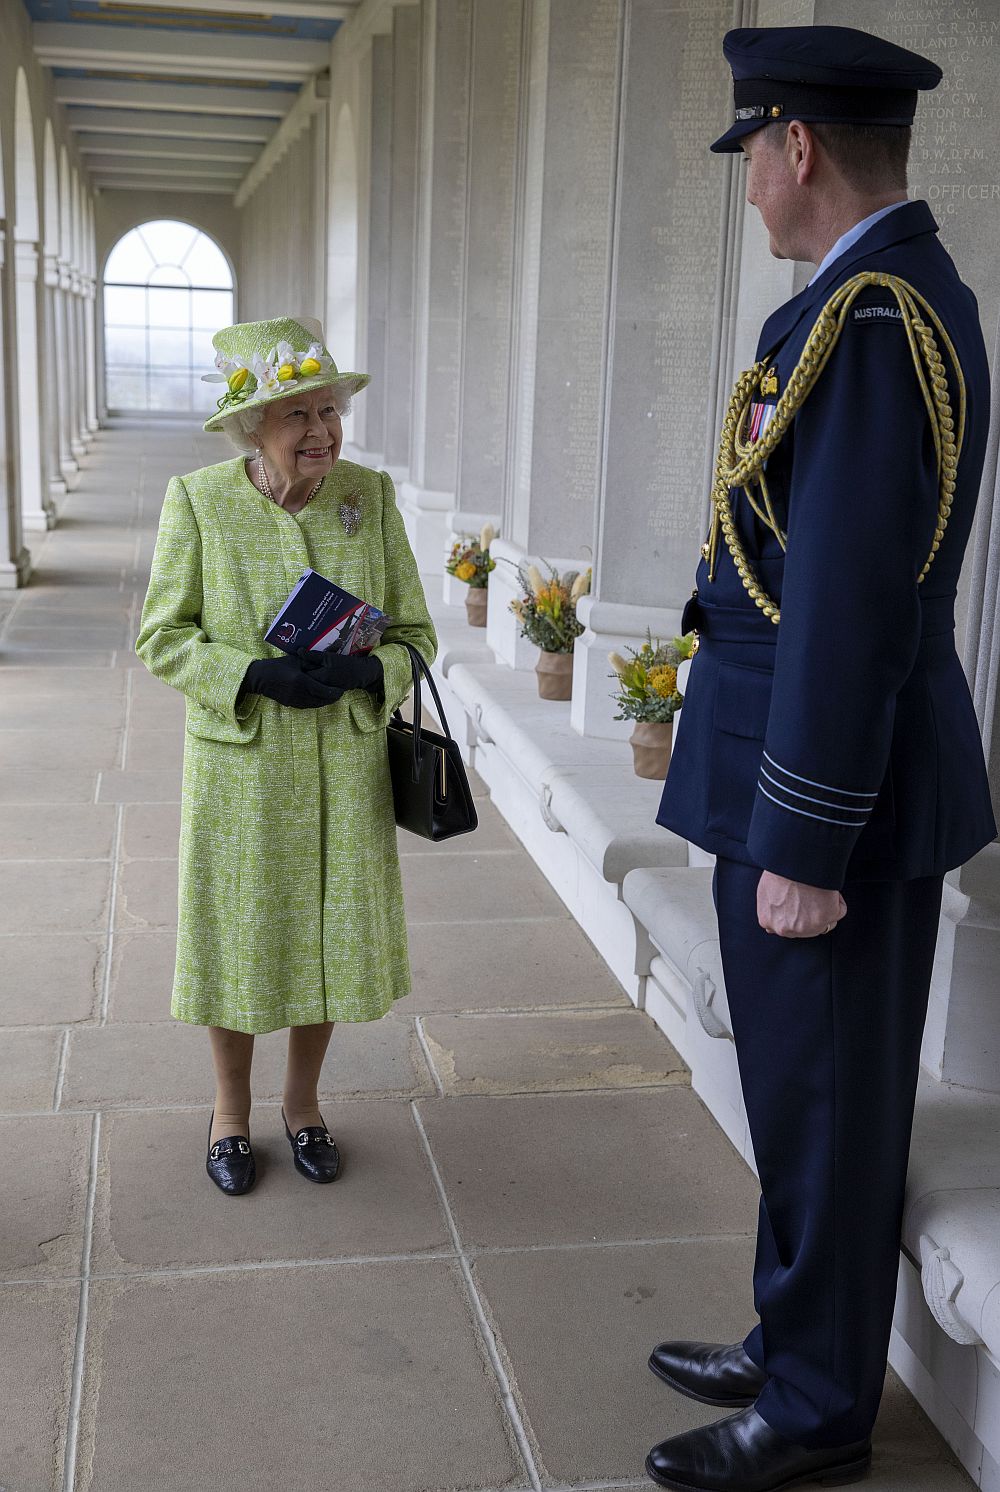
(168, 289)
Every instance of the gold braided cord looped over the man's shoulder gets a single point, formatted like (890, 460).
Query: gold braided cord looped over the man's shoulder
(741, 462)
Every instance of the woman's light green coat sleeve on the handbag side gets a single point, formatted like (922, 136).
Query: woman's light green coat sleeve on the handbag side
(411, 623)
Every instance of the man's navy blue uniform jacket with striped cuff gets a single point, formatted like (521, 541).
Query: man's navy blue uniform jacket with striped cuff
(844, 742)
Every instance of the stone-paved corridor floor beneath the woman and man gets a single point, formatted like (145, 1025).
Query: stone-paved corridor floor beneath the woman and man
(532, 1193)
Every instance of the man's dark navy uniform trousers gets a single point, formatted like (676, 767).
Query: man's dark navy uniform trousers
(828, 1036)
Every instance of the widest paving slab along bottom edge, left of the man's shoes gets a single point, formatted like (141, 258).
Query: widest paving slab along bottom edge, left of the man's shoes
(350, 1378)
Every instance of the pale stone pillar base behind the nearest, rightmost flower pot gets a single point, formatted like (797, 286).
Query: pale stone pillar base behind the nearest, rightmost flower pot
(610, 629)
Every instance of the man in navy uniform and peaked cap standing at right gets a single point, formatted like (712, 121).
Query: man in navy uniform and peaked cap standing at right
(829, 753)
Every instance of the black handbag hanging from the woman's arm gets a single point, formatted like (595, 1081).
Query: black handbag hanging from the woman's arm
(431, 787)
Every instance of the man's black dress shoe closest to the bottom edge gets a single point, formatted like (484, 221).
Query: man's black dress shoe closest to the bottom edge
(744, 1454)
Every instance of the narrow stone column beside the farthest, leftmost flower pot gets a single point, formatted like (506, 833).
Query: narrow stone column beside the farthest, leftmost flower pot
(441, 250)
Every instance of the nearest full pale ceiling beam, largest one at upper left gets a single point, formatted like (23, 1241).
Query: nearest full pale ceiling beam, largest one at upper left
(186, 54)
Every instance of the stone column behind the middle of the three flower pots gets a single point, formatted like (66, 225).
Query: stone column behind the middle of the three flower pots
(569, 108)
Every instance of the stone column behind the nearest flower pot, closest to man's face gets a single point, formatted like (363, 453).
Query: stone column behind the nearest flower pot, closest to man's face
(663, 335)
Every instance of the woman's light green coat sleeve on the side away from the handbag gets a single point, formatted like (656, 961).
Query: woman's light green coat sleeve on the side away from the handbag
(172, 642)
